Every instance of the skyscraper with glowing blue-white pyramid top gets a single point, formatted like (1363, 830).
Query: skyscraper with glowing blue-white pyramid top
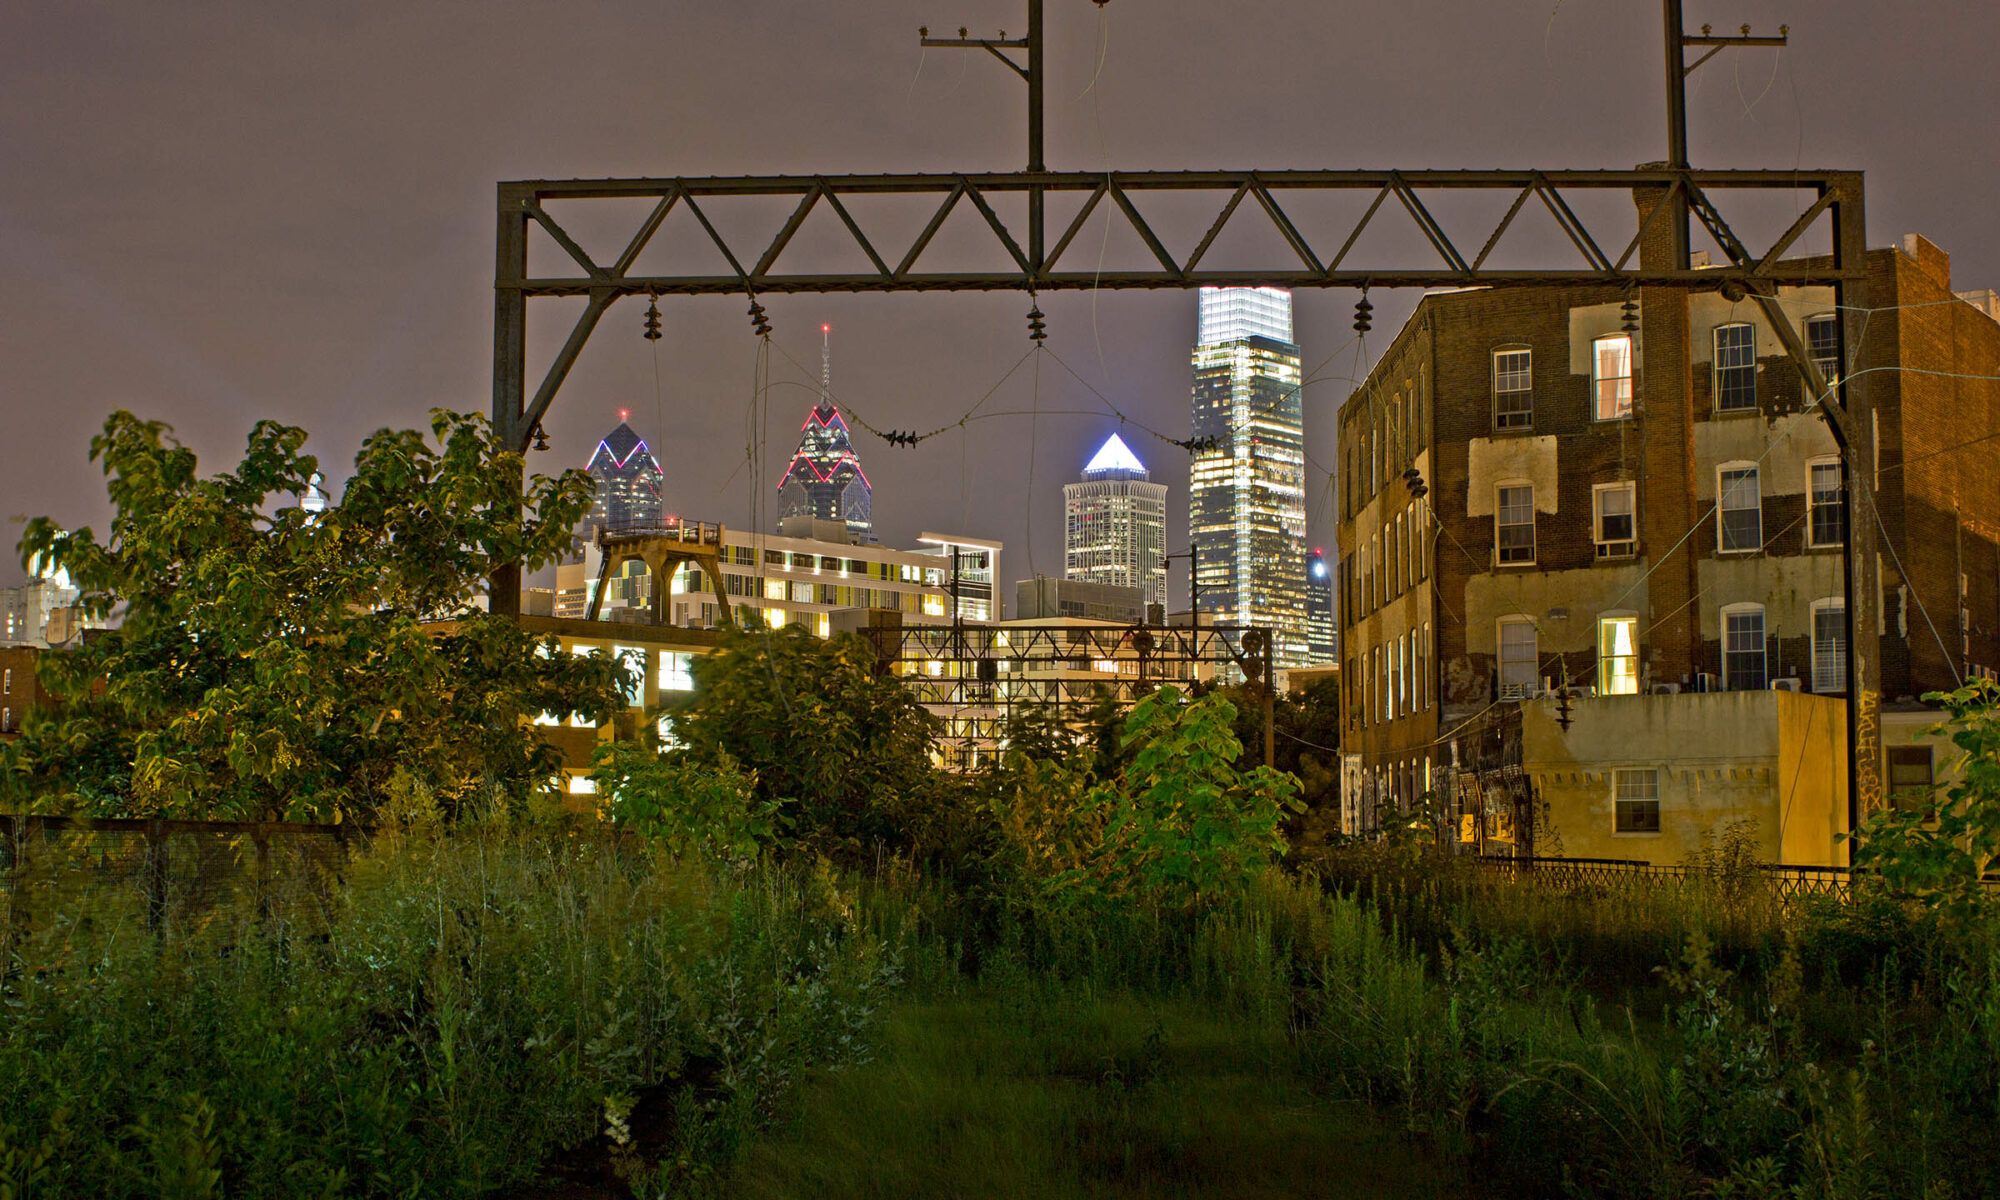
(1115, 525)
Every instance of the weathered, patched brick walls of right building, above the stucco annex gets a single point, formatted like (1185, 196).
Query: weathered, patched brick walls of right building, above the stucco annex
(1435, 403)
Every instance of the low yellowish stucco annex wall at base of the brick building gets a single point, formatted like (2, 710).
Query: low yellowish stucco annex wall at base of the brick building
(1775, 759)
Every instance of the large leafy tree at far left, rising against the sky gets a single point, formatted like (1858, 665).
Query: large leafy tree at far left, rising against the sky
(273, 663)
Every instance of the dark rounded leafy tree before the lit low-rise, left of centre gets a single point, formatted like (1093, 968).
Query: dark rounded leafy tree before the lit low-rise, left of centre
(847, 747)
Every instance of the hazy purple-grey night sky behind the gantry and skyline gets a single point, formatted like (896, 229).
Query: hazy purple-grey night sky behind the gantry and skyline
(221, 213)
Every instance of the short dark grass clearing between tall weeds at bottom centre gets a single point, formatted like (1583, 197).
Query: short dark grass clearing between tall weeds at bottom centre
(989, 1097)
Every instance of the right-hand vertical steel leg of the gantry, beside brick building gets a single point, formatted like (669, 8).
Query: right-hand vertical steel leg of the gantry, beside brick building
(1859, 557)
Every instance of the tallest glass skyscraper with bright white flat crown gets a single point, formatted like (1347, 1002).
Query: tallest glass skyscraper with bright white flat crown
(1247, 499)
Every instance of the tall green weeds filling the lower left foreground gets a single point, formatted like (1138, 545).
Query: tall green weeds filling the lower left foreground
(467, 1007)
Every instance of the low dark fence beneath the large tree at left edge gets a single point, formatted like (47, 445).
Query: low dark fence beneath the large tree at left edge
(165, 871)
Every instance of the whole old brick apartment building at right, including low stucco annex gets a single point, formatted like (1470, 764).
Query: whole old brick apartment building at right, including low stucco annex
(1633, 495)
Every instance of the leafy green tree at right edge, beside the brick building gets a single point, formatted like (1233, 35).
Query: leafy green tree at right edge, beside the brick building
(1937, 851)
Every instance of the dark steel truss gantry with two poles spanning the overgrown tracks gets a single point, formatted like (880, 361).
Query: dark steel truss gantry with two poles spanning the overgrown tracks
(1033, 263)
